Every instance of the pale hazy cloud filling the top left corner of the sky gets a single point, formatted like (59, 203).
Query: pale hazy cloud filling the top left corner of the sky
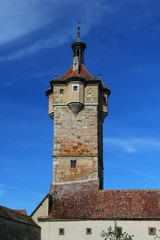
(18, 18)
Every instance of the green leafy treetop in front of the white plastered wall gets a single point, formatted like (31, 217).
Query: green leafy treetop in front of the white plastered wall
(116, 234)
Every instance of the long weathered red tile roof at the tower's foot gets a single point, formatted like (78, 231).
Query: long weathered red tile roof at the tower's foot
(85, 201)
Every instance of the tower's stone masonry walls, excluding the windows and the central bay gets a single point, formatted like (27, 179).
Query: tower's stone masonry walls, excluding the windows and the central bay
(77, 138)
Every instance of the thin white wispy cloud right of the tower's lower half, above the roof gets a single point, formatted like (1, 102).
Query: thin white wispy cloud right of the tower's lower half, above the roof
(132, 145)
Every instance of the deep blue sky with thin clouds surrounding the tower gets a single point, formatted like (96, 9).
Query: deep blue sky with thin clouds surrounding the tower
(122, 38)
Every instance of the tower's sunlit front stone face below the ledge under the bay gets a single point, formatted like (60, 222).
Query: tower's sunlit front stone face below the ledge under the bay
(75, 138)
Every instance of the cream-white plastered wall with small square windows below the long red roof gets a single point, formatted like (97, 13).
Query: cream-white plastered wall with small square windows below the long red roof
(77, 229)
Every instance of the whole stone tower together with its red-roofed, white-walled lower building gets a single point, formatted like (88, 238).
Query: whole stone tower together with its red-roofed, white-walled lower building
(77, 207)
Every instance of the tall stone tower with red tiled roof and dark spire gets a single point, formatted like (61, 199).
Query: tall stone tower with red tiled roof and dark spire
(78, 104)
